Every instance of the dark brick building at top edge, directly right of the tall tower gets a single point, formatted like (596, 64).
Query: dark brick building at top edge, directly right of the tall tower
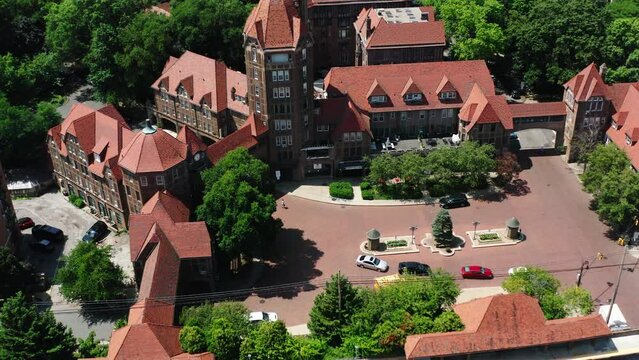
(331, 22)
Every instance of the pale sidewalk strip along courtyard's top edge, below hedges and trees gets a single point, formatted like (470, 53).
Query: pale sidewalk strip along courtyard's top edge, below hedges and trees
(317, 190)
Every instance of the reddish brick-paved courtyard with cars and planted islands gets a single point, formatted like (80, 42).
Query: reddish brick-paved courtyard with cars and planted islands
(320, 239)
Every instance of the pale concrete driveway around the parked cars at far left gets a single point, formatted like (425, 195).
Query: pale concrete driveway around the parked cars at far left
(54, 209)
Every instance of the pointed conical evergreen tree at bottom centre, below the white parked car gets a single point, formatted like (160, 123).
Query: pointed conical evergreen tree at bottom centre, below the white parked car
(332, 310)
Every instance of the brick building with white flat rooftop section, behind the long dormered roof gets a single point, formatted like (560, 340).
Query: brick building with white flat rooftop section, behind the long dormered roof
(398, 35)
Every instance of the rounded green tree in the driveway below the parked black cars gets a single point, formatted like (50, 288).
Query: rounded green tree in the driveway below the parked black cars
(89, 275)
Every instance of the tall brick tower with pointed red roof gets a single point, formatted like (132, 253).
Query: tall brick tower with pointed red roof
(279, 68)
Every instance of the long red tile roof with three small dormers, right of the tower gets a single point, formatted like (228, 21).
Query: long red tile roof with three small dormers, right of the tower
(356, 82)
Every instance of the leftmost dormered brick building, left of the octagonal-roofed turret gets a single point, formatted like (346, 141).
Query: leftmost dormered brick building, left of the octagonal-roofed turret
(84, 151)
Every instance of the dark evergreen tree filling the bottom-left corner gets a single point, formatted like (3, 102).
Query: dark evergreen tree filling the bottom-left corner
(26, 333)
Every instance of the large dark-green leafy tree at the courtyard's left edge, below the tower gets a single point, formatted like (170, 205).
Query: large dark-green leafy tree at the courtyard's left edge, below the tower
(238, 206)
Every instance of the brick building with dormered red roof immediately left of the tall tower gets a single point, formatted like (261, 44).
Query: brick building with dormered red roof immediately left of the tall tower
(202, 93)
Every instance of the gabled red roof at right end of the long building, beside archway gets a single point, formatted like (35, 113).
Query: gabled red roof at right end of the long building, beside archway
(482, 109)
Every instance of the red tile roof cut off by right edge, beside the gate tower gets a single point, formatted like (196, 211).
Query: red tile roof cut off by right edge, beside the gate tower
(627, 123)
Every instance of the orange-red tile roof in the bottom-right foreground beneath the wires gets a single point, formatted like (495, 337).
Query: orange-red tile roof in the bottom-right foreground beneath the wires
(504, 322)
